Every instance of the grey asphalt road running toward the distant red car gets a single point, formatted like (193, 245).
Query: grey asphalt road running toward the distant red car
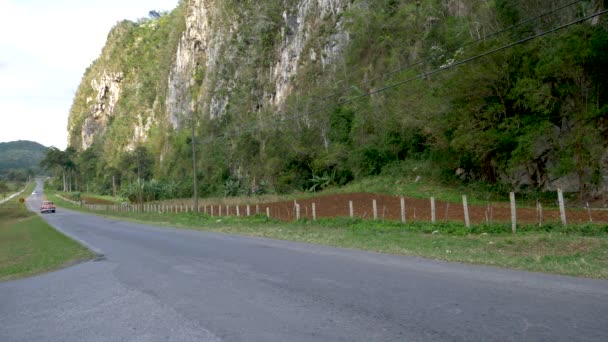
(162, 284)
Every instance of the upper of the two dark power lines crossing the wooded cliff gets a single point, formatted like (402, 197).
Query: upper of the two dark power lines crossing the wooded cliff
(420, 62)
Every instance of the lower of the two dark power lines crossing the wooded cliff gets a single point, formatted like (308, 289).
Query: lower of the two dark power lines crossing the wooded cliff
(411, 79)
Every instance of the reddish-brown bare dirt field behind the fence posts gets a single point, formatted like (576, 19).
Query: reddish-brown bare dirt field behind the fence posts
(389, 208)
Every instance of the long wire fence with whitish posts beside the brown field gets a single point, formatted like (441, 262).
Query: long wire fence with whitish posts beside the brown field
(380, 208)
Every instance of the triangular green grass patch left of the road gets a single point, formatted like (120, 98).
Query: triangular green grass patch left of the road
(28, 245)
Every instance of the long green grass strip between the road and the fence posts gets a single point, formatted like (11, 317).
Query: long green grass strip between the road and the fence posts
(575, 250)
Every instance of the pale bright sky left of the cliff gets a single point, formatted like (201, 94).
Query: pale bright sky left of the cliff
(45, 47)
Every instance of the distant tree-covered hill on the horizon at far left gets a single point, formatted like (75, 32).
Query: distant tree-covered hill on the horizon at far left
(20, 155)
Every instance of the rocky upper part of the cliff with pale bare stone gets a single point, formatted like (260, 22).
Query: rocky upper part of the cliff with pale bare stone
(214, 60)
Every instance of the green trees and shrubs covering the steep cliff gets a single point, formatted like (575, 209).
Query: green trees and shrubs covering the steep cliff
(531, 116)
